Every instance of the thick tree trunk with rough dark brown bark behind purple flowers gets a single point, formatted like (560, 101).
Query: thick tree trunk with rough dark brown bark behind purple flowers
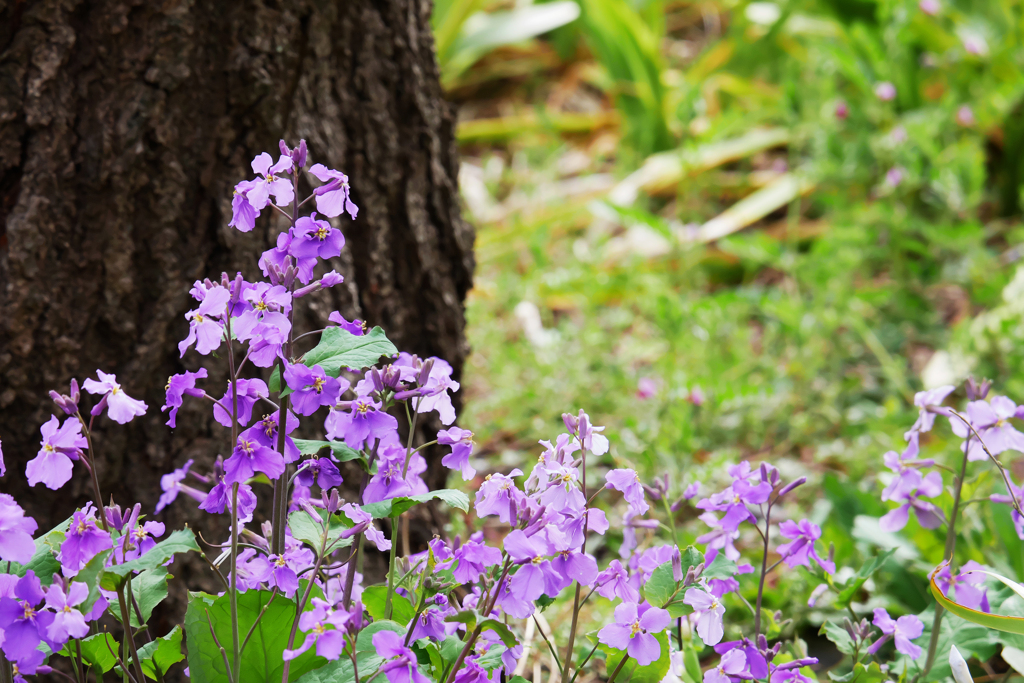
(123, 130)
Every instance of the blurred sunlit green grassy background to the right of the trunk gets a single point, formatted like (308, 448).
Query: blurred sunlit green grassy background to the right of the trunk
(745, 231)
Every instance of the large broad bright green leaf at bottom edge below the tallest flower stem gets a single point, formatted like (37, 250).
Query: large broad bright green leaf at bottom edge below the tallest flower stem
(263, 660)
